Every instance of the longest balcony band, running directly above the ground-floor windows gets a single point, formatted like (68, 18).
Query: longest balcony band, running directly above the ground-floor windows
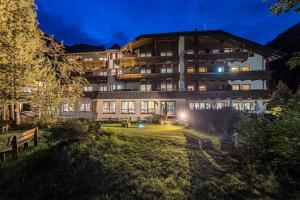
(226, 94)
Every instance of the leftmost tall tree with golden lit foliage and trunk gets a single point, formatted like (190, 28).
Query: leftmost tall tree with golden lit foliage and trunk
(19, 41)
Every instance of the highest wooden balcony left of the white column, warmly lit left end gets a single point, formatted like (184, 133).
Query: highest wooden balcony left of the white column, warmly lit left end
(129, 61)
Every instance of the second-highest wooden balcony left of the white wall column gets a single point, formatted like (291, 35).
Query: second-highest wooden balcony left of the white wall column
(153, 76)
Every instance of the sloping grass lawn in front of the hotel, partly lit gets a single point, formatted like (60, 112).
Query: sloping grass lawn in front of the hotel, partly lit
(158, 162)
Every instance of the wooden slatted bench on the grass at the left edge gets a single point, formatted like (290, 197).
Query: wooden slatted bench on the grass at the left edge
(14, 142)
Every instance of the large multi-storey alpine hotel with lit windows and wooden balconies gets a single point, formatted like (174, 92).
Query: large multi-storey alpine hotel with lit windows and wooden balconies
(170, 73)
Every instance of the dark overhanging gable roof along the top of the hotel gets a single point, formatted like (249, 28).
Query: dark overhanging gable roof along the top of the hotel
(219, 34)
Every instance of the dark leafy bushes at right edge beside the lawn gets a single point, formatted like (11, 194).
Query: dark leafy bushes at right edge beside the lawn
(274, 140)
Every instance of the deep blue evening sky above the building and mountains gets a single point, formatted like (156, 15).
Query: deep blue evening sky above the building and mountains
(119, 21)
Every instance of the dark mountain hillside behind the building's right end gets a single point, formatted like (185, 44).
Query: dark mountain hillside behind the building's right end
(288, 42)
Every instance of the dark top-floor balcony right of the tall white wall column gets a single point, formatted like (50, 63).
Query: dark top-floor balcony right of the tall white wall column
(233, 56)
